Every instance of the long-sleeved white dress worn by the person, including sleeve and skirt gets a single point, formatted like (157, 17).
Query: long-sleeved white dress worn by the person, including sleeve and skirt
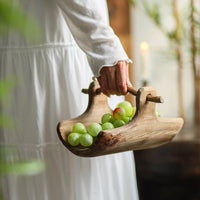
(51, 74)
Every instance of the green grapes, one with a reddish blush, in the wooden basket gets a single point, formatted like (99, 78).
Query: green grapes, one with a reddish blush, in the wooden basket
(120, 116)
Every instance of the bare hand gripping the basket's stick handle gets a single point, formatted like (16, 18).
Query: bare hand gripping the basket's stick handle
(114, 79)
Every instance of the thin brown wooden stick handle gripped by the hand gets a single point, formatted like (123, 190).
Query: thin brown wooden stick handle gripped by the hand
(133, 91)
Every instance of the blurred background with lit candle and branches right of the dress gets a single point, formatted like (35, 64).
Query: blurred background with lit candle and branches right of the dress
(163, 40)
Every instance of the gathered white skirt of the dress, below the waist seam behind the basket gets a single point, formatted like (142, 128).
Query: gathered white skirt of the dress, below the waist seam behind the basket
(47, 89)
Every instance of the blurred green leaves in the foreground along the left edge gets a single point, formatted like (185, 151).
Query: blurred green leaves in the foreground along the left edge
(14, 168)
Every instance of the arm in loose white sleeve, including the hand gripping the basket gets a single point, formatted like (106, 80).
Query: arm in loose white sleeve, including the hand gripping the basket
(97, 39)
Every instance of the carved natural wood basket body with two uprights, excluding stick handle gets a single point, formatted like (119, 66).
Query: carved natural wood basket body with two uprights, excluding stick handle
(145, 130)
